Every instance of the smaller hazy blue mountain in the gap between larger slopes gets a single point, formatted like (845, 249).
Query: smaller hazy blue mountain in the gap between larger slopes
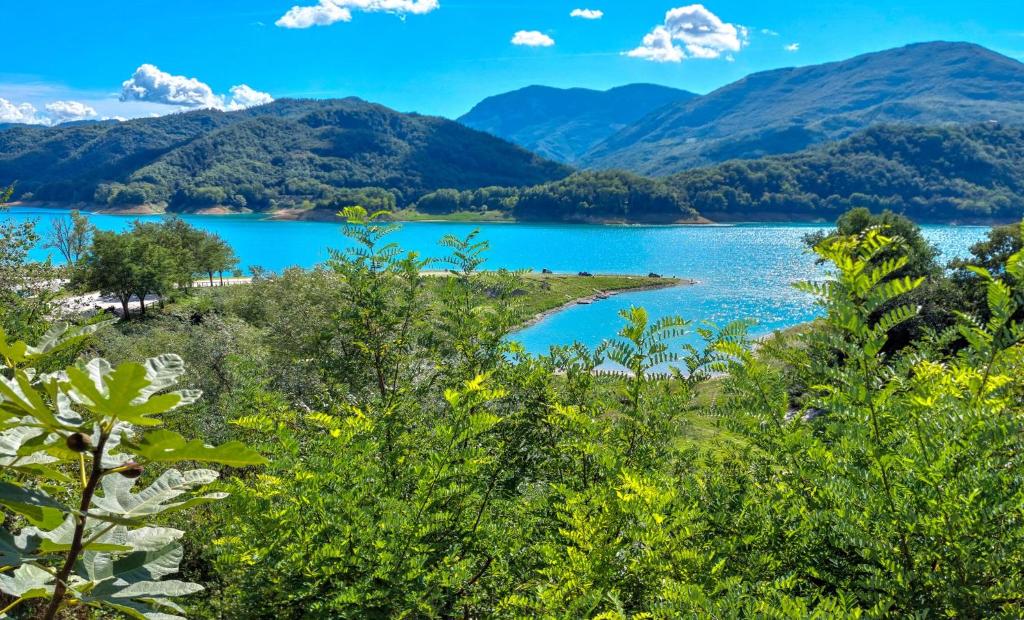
(563, 125)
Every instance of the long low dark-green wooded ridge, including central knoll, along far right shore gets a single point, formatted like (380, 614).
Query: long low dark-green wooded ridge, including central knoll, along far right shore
(932, 174)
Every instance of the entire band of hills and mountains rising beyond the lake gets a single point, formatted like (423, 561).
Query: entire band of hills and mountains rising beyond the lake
(936, 133)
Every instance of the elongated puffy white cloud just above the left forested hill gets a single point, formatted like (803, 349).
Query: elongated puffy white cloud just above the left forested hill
(153, 86)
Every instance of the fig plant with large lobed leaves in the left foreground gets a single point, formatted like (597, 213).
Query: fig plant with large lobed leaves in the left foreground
(78, 533)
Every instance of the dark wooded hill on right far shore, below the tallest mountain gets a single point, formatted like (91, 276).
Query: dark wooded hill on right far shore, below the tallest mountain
(938, 175)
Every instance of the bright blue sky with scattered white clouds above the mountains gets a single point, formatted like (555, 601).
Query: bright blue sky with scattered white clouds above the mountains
(68, 60)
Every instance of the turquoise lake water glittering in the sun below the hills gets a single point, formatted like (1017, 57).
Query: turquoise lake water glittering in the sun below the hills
(744, 272)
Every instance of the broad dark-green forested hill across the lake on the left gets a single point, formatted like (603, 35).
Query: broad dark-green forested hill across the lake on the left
(324, 153)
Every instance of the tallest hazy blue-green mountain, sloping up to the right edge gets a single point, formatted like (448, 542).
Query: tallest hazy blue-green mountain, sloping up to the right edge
(788, 110)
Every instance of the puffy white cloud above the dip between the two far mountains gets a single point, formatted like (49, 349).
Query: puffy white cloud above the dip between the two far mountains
(691, 32)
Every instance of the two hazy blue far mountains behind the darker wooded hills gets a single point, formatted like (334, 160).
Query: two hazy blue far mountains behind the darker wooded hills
(769, 113)
